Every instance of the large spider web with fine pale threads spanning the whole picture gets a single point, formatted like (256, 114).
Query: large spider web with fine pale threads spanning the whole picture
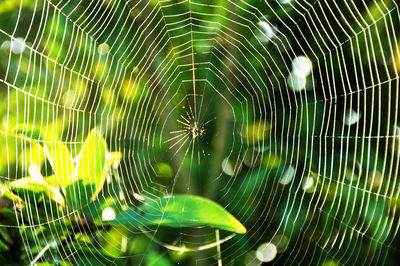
(285, 112)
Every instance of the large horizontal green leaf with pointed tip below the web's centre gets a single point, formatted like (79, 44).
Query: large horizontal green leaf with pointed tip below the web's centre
(180, 211)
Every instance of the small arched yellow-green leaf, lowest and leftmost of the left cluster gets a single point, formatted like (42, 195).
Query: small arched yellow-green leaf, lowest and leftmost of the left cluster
(37, 185)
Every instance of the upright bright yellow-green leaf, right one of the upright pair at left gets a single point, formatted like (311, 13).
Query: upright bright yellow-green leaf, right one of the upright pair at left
(90, 172)
